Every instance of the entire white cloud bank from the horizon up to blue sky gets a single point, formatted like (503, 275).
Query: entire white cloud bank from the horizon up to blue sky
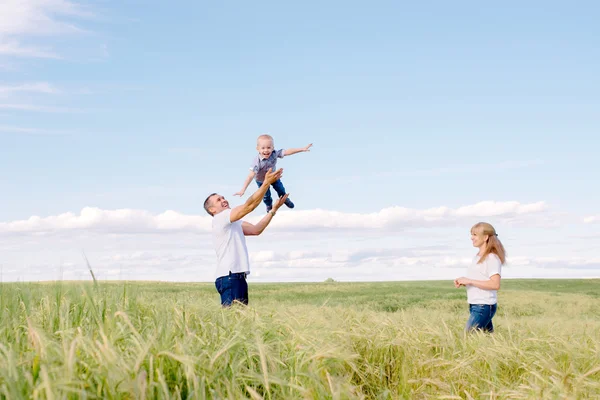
(171, 246)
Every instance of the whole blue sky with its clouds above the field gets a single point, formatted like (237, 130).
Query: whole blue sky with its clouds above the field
(150, 106)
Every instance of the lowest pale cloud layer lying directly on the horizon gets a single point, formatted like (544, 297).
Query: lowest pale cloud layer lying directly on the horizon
(174, 265)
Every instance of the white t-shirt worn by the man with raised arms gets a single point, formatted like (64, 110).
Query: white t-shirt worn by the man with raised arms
(230, 245)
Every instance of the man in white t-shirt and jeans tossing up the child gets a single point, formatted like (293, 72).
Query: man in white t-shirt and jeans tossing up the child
(229, 238)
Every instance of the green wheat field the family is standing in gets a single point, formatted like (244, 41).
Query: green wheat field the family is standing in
(330, 340)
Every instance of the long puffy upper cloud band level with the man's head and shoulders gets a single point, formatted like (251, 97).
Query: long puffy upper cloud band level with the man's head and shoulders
(393, 218)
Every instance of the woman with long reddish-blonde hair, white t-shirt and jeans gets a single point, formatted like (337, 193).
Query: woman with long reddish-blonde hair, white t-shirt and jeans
(483, 277)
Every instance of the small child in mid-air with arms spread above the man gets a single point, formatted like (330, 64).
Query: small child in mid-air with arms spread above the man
(263, 162)
